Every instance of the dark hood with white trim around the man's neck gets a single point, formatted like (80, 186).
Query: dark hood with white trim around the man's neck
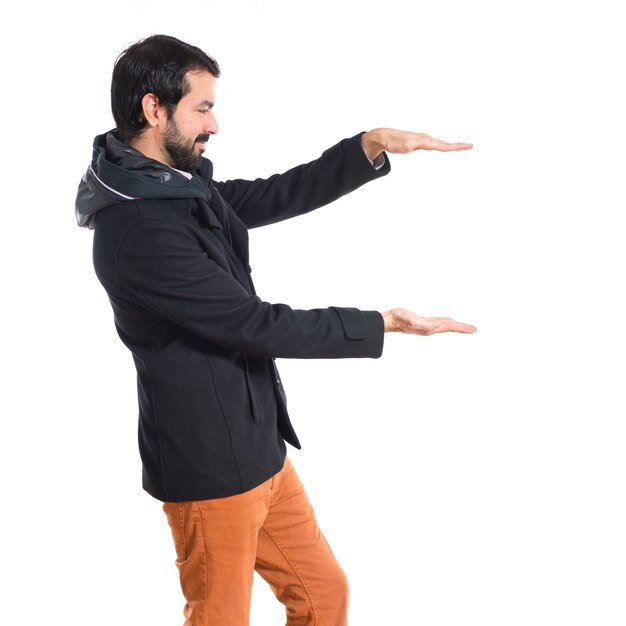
(118, 173)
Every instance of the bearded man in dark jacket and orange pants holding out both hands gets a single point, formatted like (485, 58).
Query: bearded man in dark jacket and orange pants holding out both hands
(171, 249)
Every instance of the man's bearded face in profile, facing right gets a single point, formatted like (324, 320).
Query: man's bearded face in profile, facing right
(191, 125)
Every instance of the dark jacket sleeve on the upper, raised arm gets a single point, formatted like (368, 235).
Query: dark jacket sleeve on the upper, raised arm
(339, 170)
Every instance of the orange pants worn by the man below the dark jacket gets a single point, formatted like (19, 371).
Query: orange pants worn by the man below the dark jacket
(270, 529)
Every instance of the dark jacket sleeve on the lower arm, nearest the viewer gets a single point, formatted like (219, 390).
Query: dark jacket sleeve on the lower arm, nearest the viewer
(166, 270)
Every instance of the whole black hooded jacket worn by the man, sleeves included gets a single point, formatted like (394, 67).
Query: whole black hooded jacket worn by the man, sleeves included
(172, 254)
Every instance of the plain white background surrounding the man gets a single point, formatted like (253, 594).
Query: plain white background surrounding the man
(476, 480)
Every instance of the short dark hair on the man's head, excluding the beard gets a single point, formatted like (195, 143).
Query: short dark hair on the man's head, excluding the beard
(158, 65)
